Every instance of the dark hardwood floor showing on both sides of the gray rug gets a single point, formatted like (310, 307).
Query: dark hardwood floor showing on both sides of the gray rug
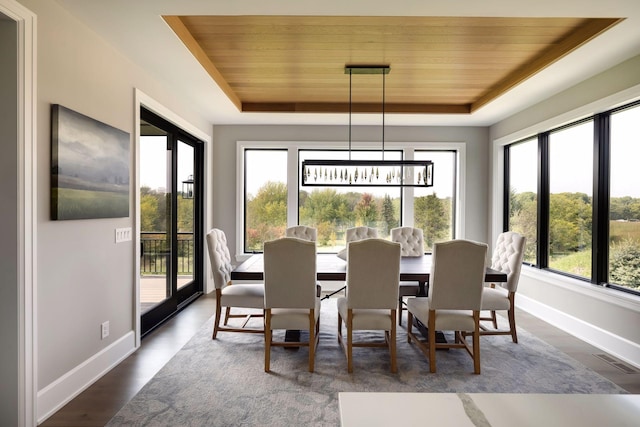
(97, 405)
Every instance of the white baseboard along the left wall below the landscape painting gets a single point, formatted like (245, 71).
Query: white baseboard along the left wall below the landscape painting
(64, 389)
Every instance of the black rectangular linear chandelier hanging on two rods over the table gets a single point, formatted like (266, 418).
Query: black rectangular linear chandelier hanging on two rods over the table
(363, 173)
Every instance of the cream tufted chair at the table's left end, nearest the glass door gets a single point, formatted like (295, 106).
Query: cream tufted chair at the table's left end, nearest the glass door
(231, 295)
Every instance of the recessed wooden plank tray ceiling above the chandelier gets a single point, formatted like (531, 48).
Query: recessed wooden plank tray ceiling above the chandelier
(438, 64)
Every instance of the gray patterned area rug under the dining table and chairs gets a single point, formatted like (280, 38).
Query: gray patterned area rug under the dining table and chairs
(222, 382)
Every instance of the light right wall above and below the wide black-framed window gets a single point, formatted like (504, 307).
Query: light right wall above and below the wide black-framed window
(607, 318)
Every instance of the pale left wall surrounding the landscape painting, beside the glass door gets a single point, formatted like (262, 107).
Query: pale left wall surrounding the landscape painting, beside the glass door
(84, 277)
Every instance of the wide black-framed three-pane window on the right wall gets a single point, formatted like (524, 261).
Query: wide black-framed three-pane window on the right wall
(588, 198)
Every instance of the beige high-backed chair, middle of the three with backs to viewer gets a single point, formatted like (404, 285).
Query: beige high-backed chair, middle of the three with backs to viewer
(373, 272)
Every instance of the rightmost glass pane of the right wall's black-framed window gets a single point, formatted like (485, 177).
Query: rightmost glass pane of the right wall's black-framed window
(624, 211)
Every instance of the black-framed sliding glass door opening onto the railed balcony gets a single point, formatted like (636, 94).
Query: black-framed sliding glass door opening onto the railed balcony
(170, 220)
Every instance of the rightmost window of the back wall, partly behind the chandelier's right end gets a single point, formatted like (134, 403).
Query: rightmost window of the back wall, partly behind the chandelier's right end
(434, 207)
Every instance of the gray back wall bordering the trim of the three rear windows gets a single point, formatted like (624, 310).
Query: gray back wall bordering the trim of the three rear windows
(224, 163)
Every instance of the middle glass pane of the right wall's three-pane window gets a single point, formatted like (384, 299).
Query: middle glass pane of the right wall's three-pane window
(570, 200)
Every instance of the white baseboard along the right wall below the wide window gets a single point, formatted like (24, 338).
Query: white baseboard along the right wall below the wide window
(615, 345)
